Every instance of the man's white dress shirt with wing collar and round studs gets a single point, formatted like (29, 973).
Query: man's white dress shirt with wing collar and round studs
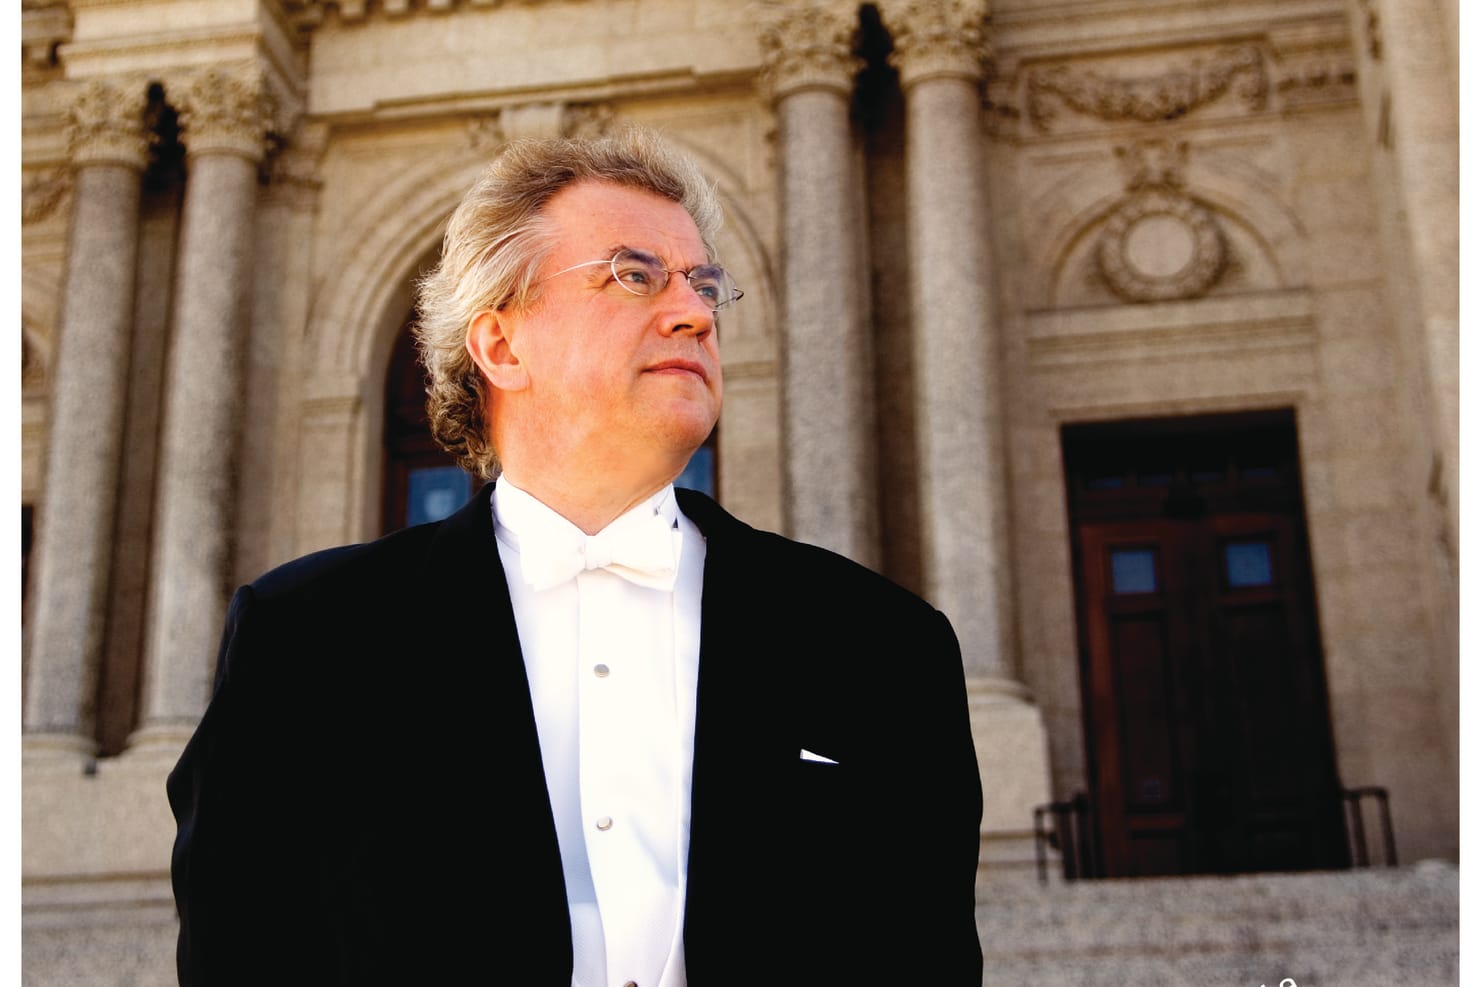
(613, 671)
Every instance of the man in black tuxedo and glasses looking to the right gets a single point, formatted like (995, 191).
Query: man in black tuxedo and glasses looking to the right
(495, 749)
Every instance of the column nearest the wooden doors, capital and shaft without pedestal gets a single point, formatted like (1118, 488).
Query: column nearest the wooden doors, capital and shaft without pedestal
(939, 53)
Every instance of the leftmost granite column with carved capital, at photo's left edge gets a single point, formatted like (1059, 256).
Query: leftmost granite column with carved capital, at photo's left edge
(110, 152)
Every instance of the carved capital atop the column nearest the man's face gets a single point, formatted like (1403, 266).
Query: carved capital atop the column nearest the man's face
(809, 45)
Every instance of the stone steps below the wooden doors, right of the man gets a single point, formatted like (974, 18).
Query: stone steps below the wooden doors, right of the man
(1353, 929)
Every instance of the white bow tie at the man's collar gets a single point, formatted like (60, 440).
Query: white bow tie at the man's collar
(643, 551)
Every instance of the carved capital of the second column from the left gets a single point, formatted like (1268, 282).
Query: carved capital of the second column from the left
(226, 112)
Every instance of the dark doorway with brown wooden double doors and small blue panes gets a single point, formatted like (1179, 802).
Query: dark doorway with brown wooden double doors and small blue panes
(1204, 689)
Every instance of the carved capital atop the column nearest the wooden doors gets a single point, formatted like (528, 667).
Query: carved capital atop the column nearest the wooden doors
(939, 38)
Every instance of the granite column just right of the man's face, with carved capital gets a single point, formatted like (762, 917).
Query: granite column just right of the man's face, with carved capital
(828, 365)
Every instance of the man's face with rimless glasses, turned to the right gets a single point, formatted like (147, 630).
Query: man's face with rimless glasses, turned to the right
(612, 375)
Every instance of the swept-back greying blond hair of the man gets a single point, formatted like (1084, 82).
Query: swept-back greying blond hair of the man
(494, 249)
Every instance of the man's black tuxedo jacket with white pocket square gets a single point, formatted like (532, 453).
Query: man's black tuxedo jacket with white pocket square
(365, 801)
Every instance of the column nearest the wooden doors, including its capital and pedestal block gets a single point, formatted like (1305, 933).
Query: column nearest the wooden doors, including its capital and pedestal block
(941, 53)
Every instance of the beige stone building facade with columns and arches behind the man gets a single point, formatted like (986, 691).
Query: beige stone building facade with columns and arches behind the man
(1124, 331)
